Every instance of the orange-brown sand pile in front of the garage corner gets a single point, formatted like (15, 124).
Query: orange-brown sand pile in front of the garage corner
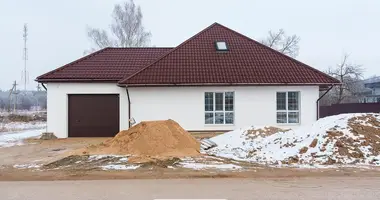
(150, 139)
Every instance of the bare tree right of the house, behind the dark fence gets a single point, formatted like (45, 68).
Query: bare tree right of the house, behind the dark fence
(350, 75)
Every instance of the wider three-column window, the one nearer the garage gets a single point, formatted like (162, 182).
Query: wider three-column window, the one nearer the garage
(219, 108)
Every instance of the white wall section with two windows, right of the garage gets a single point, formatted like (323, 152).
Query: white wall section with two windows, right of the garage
(254, 105)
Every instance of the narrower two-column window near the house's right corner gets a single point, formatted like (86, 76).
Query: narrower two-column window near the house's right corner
(288, 107)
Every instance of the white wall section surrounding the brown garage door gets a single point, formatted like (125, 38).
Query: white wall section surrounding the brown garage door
(57, 103)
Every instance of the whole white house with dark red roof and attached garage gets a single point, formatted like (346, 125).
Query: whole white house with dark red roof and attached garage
(217, 80)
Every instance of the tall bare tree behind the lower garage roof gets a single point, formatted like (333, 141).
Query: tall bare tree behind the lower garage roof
(126, 29)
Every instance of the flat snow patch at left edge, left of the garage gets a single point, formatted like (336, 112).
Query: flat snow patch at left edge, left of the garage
(10, 139)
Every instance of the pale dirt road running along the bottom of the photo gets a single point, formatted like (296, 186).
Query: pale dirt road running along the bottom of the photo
(233, 189)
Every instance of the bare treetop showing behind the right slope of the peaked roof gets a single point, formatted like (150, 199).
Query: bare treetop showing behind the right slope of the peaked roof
(288, 45)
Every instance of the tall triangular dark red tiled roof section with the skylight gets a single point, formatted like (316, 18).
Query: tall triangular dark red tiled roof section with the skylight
(247, 62)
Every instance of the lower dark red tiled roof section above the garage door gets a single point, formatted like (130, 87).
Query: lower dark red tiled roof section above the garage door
(109, 64)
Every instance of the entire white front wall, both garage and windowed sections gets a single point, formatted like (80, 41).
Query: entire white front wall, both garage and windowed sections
(254, 105)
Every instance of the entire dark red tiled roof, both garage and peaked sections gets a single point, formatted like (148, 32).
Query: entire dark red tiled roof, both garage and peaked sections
(194, 62)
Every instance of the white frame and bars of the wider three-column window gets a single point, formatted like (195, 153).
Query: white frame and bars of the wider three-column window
(219, 111)
